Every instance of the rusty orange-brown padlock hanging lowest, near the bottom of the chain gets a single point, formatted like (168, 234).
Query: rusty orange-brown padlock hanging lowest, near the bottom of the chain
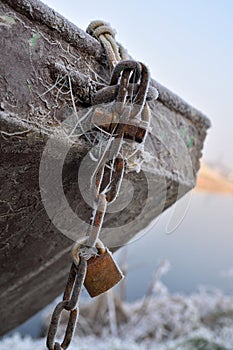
(102, 271)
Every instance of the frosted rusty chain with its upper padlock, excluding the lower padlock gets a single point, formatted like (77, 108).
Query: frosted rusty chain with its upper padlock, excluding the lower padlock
(129, 119)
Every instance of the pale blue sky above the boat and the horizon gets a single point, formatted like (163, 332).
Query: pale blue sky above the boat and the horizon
(188, 46)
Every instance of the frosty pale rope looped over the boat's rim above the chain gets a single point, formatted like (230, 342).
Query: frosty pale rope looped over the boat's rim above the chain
(103, 32)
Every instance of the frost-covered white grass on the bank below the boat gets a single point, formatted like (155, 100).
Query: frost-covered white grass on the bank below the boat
(159, 321)
